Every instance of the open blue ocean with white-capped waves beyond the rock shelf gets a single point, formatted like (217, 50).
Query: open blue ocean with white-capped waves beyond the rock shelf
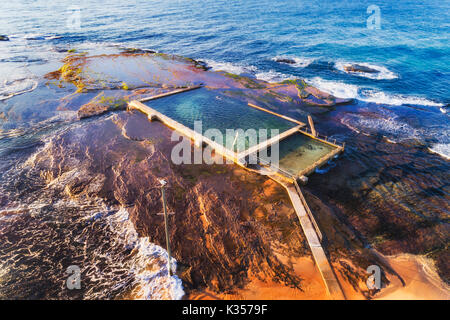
(410, 49)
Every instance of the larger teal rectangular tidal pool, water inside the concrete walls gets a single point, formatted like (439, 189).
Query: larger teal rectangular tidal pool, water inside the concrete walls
(218, 111)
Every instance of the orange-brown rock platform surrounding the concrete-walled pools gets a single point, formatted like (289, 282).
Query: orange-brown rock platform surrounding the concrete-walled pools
(122, 156)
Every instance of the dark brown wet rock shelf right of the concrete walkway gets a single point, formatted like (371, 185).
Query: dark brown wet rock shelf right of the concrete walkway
(364, 197)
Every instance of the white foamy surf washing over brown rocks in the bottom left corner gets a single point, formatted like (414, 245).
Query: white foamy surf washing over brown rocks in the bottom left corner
(43, 231)
